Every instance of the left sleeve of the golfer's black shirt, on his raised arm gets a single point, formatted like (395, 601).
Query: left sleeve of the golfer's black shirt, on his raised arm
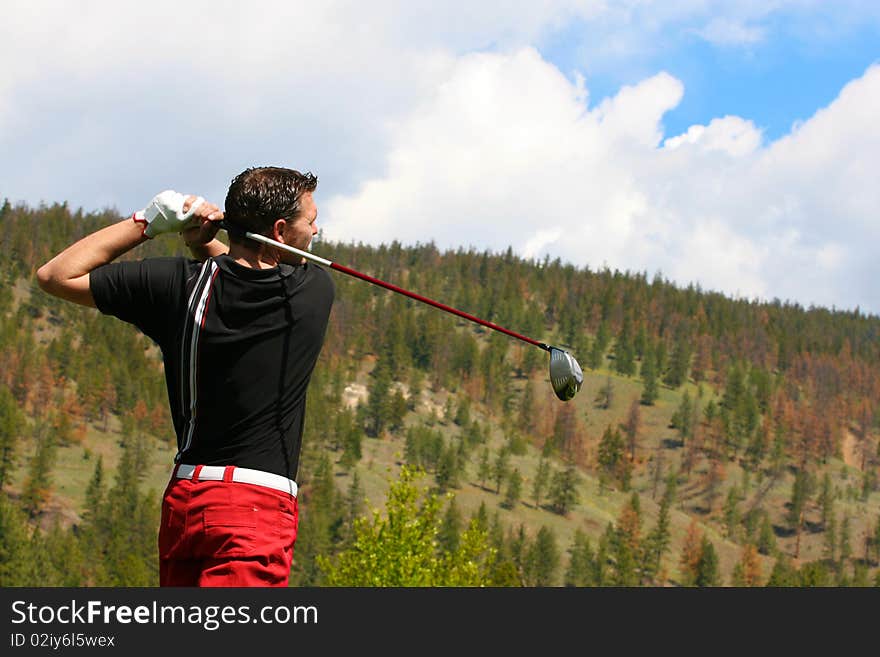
(147, 293)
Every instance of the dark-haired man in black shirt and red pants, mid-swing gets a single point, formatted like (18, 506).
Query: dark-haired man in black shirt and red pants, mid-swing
(240, 330)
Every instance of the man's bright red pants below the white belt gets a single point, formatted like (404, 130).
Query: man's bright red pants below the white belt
(225, 533)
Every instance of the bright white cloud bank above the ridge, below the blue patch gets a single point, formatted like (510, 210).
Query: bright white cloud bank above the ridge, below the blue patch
(506, 153)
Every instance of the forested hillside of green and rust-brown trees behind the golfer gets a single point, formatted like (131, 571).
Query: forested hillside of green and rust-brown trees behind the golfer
(715, 442)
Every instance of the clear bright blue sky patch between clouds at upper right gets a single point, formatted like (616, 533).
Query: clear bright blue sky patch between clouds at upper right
(776, 81)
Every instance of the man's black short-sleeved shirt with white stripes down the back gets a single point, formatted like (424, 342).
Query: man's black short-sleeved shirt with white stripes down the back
(239, 347)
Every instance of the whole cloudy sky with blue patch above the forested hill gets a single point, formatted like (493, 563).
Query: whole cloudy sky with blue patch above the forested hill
(729, 144)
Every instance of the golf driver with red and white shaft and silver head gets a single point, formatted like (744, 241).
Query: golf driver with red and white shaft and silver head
(566, 375)
